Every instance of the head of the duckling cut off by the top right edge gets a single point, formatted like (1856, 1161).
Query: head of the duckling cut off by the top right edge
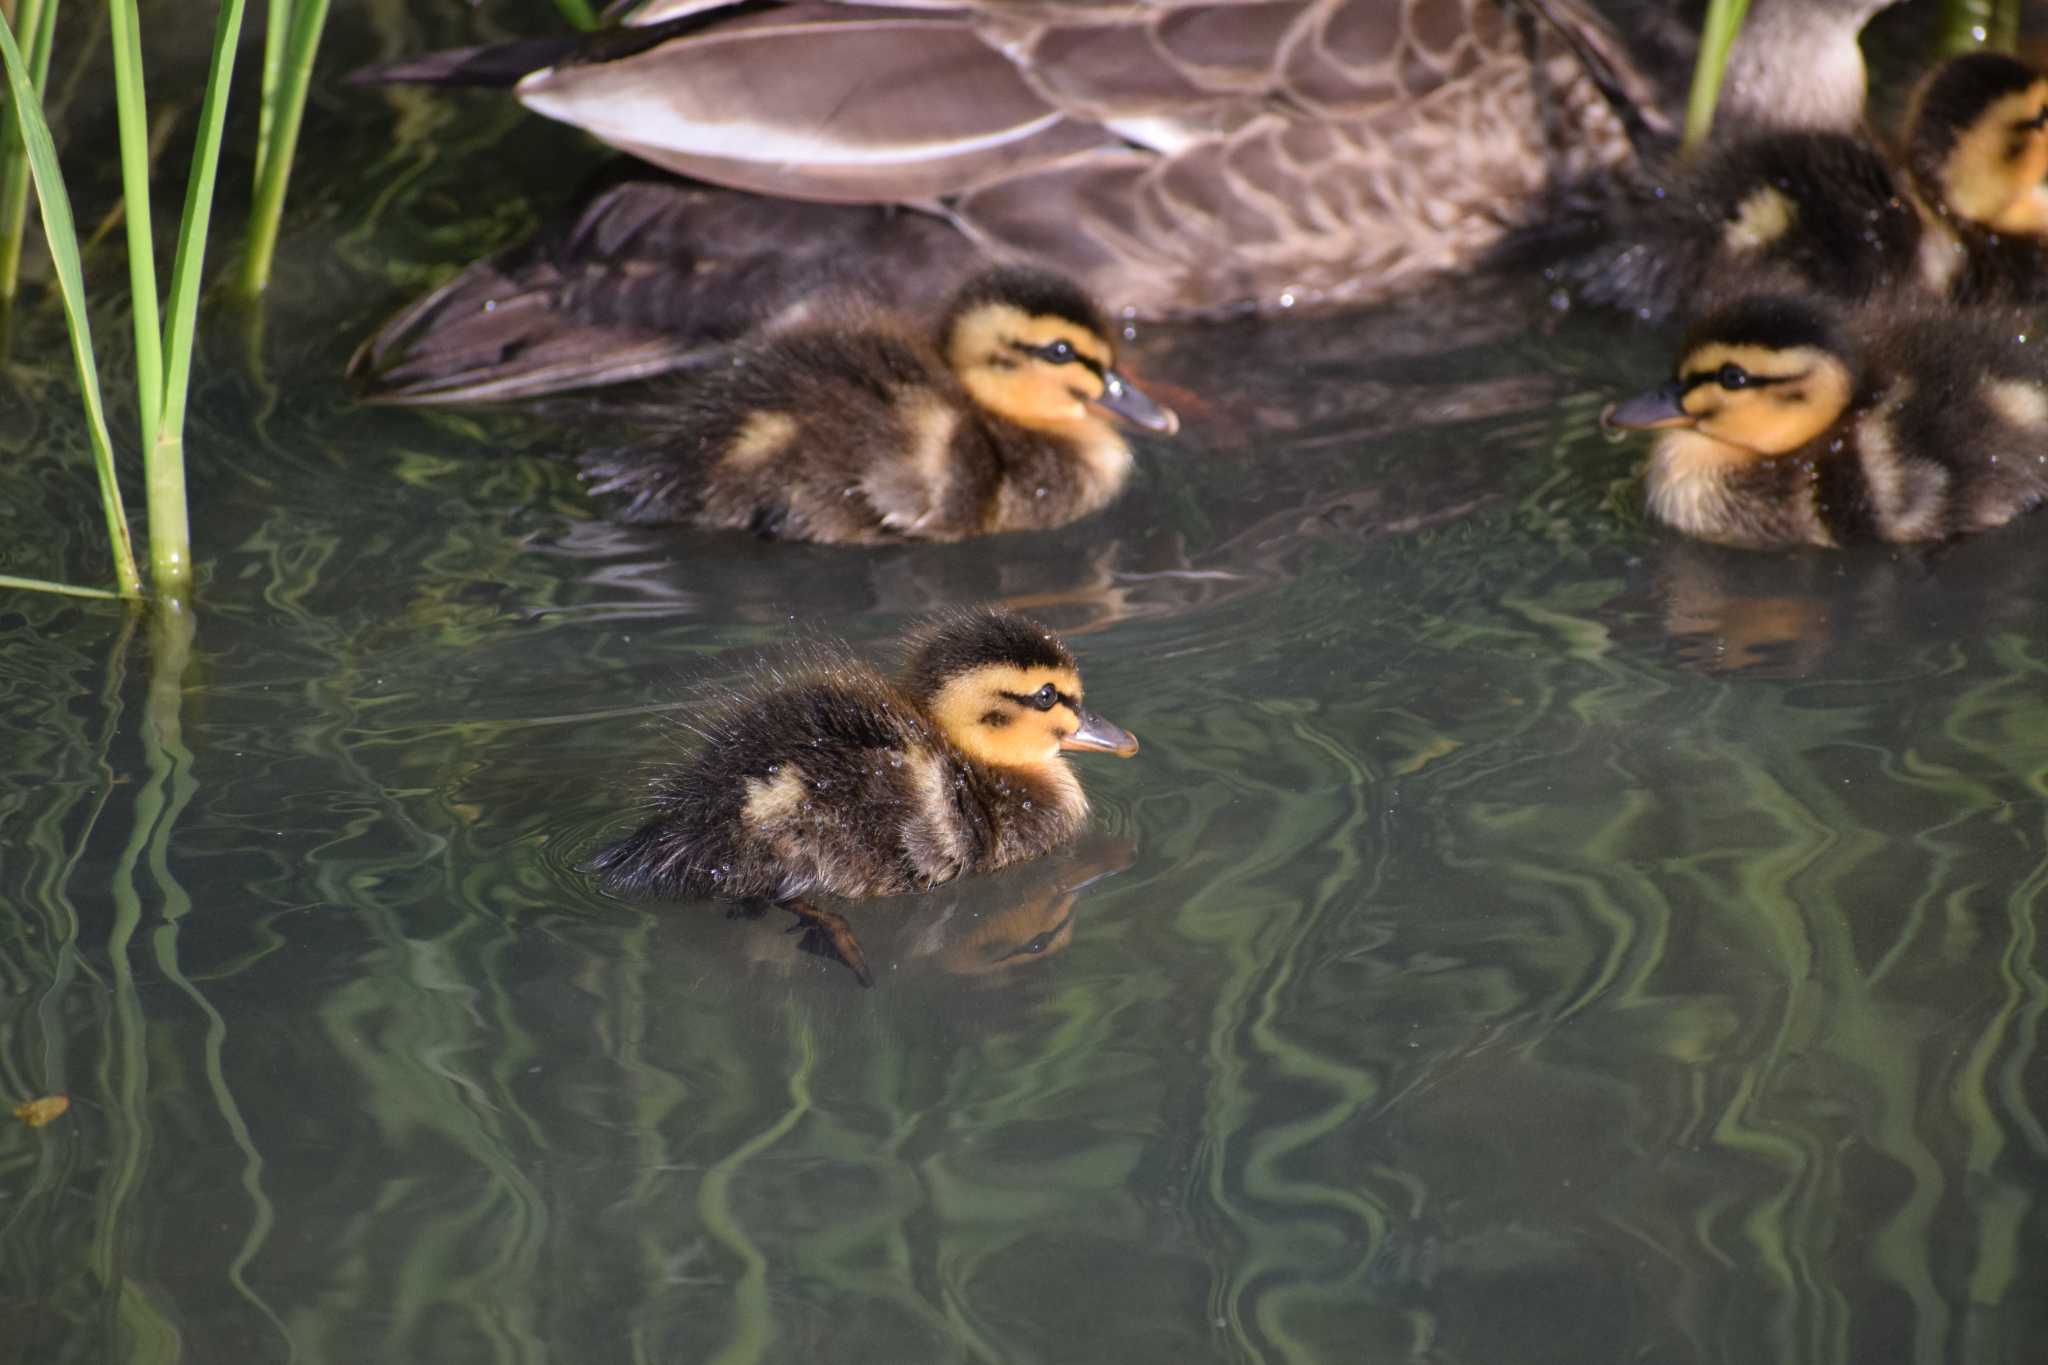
(1977, 152)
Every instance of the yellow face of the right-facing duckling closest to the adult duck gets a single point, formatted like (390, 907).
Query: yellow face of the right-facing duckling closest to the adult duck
(1017, 384)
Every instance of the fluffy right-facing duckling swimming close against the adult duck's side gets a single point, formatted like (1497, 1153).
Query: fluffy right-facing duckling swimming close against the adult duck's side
(876, 433)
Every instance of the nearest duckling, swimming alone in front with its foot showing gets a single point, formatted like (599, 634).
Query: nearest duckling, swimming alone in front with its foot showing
(843, 783)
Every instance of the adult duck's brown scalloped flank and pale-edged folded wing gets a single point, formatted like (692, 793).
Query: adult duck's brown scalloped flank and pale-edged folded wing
(1179, 159)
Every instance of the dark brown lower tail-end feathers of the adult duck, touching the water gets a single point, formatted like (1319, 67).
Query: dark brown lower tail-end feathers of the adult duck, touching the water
(654, 275)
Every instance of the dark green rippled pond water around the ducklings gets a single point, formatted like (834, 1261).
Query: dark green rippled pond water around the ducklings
(1523, 938)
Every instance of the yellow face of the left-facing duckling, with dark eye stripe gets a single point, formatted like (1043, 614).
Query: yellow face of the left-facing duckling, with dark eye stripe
(1783, 400)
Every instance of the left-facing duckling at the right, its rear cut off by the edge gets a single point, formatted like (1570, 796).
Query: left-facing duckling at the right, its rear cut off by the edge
(1789, 425)
